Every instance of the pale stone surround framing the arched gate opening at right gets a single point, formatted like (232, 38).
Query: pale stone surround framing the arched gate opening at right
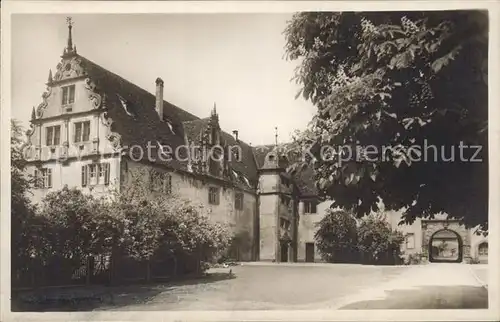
(431, 226)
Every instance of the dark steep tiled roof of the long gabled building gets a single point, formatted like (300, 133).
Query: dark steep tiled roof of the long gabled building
(135, 119)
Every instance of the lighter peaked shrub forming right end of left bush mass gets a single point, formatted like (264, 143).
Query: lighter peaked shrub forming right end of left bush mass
(159, 224)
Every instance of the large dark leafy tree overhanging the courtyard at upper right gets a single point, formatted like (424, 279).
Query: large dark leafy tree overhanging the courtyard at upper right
(409, 81)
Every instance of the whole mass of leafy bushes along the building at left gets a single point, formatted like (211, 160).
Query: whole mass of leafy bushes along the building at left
(135, 228)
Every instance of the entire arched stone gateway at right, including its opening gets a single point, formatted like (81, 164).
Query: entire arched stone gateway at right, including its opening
(445, 241)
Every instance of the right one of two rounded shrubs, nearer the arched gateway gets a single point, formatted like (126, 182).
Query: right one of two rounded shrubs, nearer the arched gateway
(377, 241)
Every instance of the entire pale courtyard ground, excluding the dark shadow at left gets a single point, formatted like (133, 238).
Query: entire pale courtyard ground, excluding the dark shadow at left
(304, 286)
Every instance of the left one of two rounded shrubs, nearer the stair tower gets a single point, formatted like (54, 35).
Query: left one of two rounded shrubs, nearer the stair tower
(336, 236)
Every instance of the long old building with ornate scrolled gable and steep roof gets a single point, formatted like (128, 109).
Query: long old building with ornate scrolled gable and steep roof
(92, 130)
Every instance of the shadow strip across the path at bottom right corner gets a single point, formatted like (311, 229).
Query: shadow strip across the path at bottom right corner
(428, 297)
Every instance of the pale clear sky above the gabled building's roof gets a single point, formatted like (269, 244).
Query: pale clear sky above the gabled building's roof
(235, 60)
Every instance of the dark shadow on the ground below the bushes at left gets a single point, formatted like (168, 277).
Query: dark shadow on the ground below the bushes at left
(94, 297)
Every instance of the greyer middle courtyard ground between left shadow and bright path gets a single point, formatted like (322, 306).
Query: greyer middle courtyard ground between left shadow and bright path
(271, 287)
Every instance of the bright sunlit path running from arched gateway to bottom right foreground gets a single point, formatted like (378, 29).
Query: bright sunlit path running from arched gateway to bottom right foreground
(433, 286)
